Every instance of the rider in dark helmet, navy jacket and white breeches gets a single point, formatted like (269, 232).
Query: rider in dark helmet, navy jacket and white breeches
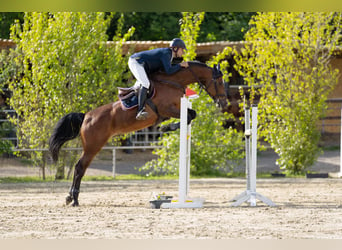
(146, 62)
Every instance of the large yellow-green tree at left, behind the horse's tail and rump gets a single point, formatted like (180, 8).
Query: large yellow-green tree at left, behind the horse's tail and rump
(67, 67)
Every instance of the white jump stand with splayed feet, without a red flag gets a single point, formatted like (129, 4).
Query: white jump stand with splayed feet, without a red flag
(250, 195)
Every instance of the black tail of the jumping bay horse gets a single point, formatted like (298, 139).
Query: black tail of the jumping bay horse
(67, 128)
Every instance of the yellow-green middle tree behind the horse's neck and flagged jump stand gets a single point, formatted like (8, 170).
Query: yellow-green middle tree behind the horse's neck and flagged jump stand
(213, 147)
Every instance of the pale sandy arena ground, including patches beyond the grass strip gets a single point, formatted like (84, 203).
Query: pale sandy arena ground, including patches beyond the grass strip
(305, 208)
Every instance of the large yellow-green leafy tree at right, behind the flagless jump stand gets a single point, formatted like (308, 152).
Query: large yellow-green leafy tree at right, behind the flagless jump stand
(288, 54)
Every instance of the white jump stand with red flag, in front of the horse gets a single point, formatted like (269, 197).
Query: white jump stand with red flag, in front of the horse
(184, 161)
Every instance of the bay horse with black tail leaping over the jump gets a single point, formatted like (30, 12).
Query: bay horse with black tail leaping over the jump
(97, 126)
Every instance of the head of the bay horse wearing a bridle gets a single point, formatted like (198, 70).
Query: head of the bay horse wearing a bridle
(215, 87)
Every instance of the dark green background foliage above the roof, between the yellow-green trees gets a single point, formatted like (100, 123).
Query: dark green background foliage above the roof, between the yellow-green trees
(216, 26)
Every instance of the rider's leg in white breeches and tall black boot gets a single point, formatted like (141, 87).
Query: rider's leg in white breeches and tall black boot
(139, 73)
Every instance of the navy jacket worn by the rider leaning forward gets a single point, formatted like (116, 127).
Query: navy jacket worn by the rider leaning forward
(157, 59)
